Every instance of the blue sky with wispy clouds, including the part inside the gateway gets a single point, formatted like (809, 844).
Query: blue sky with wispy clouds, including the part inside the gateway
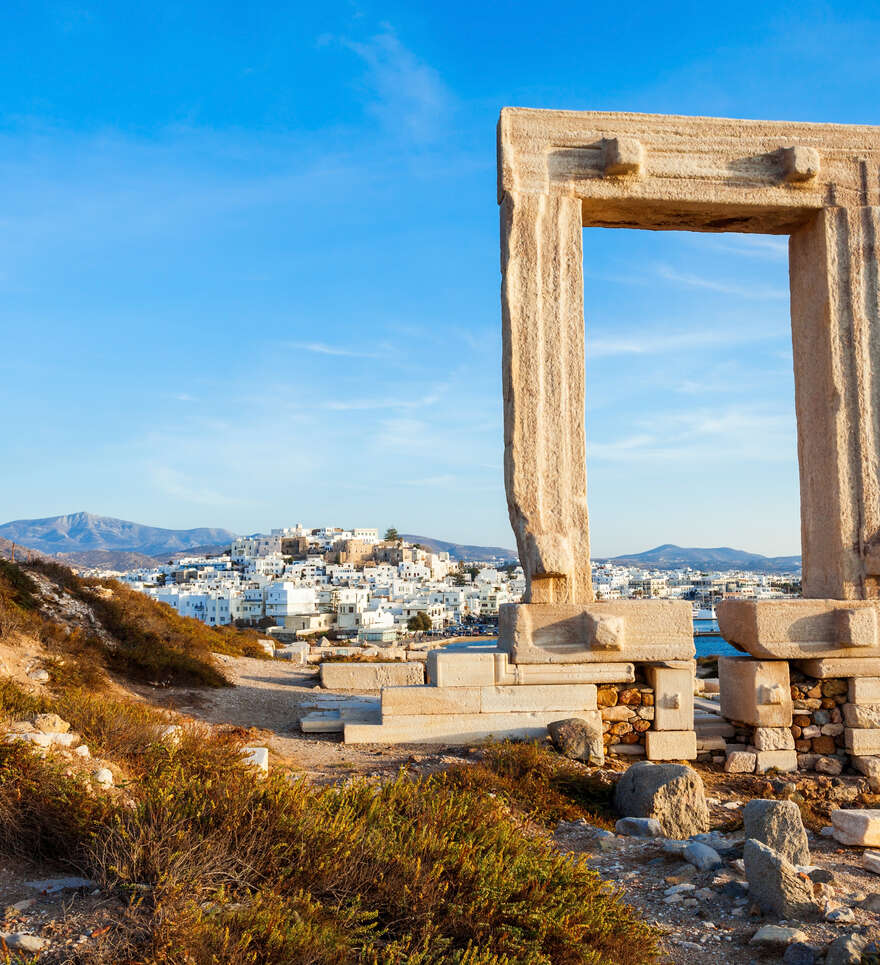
(249, 263)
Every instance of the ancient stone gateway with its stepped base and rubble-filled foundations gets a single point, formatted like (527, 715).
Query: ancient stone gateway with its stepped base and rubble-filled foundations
(560, 171)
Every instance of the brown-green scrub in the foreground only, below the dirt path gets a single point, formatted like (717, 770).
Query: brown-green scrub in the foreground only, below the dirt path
(219, 867)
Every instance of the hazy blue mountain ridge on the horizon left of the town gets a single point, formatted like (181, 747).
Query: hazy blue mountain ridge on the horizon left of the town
(85, 532)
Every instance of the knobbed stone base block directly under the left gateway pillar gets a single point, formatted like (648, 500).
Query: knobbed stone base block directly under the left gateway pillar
(621, 630)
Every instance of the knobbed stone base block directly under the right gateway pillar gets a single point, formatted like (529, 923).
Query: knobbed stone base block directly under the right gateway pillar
(801, 629)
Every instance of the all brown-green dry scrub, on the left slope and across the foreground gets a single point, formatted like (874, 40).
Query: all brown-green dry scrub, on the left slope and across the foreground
(215, 866)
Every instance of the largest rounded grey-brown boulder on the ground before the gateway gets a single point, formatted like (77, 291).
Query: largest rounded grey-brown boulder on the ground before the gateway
(671, 793)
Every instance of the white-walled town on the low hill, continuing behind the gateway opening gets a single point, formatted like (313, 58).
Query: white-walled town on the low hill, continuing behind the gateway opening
(353, 585)
